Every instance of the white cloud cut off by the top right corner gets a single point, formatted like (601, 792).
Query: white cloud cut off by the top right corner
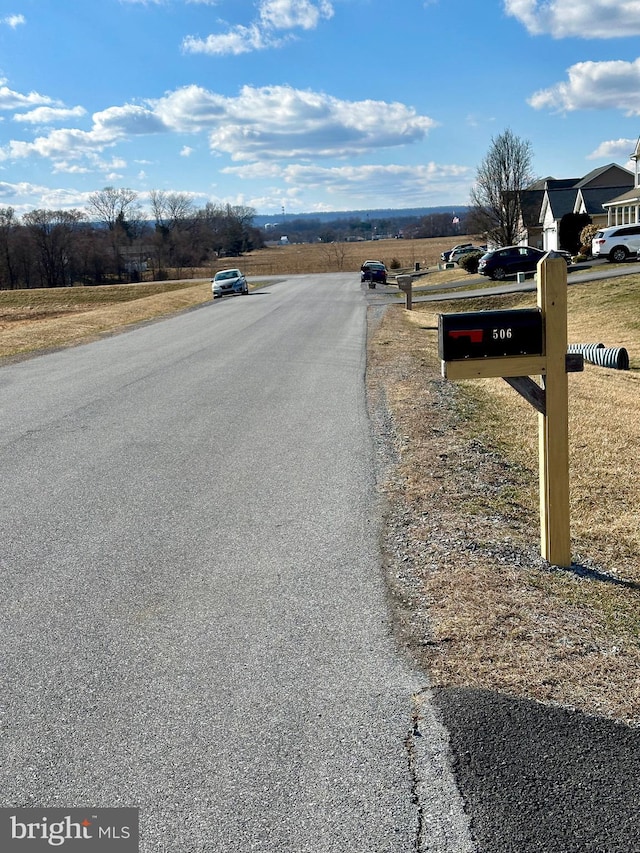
(577, 18)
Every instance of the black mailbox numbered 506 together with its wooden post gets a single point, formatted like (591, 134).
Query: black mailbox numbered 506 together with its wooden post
(517, 345)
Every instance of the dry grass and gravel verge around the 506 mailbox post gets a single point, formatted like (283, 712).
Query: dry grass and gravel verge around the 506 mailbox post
(481, 607)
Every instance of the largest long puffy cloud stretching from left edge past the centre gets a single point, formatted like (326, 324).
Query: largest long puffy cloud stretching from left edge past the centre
(260, 124)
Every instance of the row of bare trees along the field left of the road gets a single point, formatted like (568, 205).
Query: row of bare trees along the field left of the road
(112, 241)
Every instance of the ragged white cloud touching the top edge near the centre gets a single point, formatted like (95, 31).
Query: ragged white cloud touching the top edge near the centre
(274, 18)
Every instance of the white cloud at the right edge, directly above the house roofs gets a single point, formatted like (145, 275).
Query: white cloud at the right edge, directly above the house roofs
(594, 86)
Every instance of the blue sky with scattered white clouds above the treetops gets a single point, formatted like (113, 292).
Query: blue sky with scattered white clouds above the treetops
(307, 105)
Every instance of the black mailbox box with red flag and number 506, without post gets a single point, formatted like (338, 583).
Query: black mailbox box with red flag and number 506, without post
(490, 334)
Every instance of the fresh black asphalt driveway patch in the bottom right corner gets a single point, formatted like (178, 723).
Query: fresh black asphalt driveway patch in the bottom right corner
(539, 779)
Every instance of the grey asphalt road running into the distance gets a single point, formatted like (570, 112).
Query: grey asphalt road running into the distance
(194, 619)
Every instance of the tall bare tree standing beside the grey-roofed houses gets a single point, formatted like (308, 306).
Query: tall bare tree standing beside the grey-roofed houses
(503, 174)
